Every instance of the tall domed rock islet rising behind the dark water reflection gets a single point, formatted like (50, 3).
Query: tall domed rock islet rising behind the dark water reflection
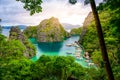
(50, 30)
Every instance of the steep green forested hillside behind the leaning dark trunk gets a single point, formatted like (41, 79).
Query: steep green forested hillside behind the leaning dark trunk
(110, 19)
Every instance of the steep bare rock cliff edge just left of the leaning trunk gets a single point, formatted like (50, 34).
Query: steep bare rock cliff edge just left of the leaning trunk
(86, 23)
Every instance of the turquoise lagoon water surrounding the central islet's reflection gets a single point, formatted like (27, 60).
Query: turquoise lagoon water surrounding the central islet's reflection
(57, 49)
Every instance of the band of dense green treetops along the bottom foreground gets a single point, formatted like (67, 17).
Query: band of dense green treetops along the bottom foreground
(46, 68)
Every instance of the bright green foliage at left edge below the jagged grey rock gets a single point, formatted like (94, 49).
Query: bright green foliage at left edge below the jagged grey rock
(11, 48)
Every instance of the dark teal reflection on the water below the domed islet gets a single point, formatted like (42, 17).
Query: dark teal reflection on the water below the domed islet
(50, 46)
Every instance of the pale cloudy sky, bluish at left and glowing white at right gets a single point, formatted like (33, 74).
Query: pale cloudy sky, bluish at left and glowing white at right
(12, 12)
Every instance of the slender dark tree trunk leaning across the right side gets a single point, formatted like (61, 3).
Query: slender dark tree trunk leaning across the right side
(102, 42)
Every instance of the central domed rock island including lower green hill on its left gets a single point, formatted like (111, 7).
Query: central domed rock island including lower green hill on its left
(49, 30)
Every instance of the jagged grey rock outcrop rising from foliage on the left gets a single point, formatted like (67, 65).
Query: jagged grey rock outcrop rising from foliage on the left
(16, 34)
